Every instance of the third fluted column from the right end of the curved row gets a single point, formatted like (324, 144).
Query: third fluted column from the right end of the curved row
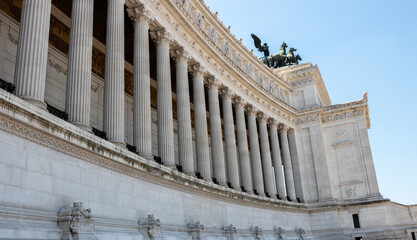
(266, 156)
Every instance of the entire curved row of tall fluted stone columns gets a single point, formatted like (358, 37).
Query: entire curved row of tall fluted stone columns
(254, 166)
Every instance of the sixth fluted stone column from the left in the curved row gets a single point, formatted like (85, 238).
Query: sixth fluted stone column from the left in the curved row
(185, 141)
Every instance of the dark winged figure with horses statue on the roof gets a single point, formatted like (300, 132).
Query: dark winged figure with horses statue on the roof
(279, 59)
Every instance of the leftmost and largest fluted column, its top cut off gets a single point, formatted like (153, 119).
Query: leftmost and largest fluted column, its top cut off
(32, 51)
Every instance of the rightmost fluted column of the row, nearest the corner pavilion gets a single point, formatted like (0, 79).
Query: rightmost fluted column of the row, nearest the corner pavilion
(289, 178)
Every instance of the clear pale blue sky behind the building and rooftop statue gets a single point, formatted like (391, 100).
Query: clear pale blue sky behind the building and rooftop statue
(359, 46)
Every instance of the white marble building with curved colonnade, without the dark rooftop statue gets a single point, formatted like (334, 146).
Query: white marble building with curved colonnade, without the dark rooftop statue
(137, 119)
